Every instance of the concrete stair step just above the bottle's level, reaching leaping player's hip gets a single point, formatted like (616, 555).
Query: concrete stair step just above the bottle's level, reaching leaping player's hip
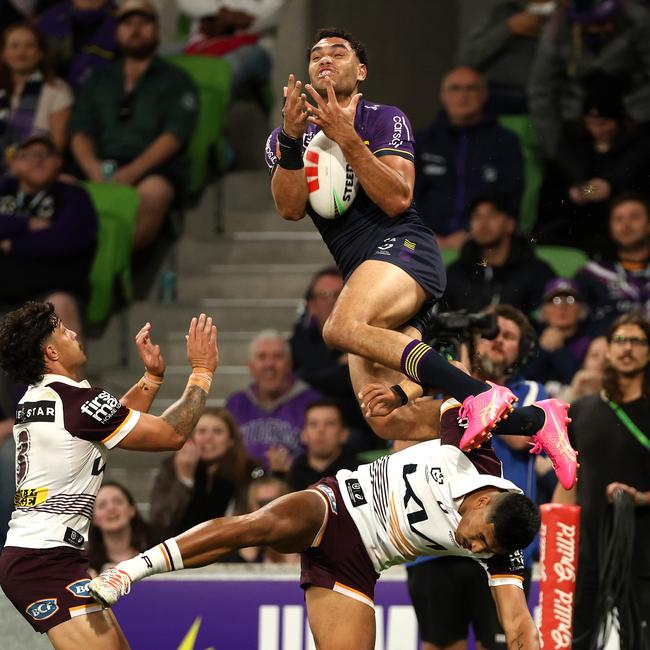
(277, 247)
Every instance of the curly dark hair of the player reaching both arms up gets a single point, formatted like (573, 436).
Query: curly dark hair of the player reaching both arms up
(22, 334)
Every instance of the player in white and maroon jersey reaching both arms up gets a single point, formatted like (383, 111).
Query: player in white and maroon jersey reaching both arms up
(64, 428)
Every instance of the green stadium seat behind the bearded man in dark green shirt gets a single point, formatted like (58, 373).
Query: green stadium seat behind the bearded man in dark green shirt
(212, 78)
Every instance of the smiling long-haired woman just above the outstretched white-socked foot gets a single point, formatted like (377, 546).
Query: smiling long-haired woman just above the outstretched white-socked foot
(117, 530)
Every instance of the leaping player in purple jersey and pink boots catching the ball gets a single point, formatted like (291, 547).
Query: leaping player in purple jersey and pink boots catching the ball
(388, 257)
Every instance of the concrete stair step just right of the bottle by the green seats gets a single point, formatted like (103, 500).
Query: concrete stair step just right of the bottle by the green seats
(247, 281)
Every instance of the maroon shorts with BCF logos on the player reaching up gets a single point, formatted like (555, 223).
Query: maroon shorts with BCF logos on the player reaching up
(47, 586)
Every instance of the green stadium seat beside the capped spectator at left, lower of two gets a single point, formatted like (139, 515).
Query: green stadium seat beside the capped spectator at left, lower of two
(117, 207)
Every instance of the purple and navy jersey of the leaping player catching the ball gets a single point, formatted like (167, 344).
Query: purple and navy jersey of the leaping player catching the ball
(354, 237)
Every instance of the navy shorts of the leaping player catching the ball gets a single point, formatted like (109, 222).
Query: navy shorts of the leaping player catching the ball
(415, 250)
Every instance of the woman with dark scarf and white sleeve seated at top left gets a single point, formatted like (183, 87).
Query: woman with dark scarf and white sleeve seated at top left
(32, 99)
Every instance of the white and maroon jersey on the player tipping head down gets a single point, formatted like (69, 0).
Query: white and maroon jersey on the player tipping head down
(406, 505)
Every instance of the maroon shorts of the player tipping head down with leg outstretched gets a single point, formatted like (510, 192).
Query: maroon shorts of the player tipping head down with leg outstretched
(338, 560)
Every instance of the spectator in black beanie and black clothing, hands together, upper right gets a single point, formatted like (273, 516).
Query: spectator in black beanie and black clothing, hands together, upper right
(598, 157)
